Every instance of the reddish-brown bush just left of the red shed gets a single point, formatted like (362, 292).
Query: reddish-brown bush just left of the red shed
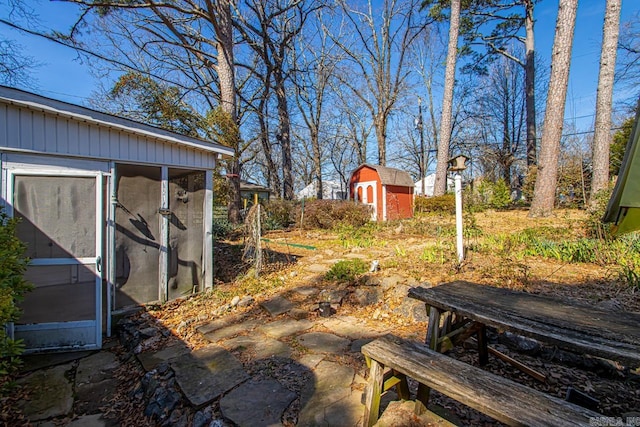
(327, 214)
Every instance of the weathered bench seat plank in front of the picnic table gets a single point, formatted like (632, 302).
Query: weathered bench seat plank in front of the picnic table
(500, 398)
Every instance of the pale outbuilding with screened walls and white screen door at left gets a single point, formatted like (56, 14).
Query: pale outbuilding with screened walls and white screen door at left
(114, 213)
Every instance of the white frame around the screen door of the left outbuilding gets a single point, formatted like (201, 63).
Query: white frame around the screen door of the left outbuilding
(30, 165)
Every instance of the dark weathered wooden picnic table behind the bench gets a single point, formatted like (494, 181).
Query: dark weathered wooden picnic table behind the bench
(613, 335)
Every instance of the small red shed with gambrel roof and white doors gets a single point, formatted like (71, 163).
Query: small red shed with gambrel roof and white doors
(388, 191)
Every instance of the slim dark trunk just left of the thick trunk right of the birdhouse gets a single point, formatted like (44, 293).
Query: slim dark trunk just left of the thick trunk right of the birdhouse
(530, 84)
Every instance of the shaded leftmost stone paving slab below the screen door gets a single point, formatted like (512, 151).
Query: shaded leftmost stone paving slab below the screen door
(52, 393)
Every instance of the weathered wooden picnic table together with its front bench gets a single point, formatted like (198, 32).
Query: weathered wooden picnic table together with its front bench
(460, 309)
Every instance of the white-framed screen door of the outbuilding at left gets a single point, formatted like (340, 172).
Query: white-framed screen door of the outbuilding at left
(61, 221)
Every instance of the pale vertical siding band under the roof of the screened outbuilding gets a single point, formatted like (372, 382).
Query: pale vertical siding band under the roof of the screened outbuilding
(34, 131)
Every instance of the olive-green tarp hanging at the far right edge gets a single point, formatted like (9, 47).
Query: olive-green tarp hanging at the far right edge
(623, 209)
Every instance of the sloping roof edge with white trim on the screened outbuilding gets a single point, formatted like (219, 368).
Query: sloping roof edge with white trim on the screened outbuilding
(33, 101)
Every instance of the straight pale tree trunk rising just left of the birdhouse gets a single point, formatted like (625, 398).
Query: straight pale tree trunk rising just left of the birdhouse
(440, 186)
